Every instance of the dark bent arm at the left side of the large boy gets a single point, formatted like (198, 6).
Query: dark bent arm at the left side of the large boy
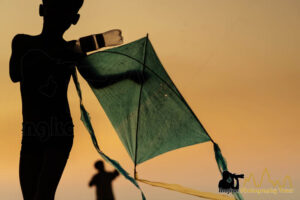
(15, 59)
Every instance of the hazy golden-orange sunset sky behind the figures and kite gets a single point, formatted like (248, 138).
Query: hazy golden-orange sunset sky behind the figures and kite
(237, 64)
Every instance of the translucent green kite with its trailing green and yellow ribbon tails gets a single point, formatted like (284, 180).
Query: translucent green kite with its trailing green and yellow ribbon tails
(144, 106)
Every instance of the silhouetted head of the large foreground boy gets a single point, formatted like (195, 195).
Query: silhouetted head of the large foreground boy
(60, 14)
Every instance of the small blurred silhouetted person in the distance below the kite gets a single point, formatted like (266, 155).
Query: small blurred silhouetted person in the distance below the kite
(103, 182)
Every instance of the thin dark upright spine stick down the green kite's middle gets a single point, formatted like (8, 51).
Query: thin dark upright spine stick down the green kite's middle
(139, 106)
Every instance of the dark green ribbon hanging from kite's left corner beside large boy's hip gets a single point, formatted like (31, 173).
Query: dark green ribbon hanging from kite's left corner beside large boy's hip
(85, 118)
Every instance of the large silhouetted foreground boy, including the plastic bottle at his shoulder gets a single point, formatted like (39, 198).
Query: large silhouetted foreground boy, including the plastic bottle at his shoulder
(43, 65)
